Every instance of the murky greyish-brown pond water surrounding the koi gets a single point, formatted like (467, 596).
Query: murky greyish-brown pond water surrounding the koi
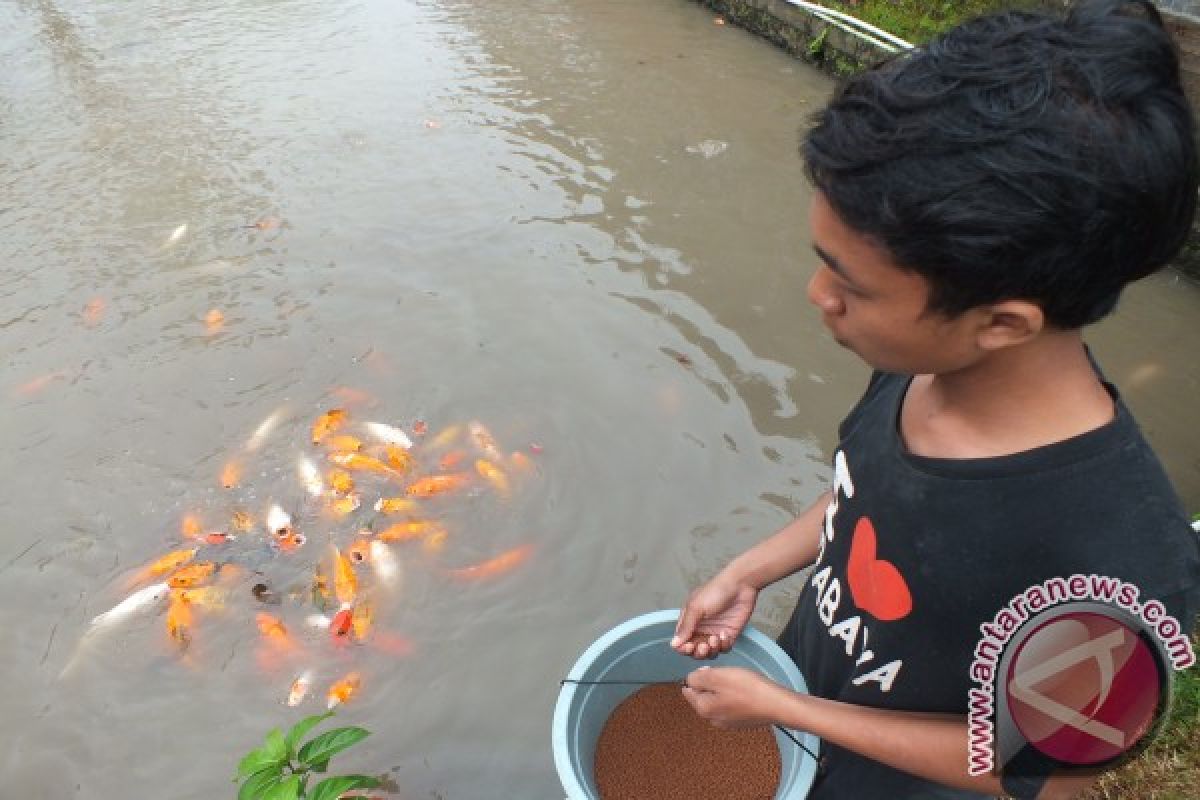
(578, 222)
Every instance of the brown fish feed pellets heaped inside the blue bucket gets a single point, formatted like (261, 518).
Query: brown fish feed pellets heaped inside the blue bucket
(655, 745)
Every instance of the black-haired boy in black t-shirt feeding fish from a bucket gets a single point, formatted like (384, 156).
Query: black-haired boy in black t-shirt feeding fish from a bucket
(980, 201)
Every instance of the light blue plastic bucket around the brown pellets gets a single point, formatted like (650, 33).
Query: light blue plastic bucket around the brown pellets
(640, 651)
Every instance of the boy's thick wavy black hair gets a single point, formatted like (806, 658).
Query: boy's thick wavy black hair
(1019, 157)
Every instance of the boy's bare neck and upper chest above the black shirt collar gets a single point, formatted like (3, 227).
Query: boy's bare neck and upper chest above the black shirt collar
(1016, 400)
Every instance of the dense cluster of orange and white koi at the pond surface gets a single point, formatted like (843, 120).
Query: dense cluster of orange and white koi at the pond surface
(371, 494)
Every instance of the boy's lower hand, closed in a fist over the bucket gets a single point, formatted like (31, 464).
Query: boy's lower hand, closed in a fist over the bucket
(731, 697)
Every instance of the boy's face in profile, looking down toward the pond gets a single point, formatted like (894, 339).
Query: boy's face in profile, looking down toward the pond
(878, 310)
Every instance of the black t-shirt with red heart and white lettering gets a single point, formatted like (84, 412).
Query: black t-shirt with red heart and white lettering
(920, 552)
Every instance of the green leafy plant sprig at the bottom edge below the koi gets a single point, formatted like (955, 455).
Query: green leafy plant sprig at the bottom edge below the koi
(283, 767)
